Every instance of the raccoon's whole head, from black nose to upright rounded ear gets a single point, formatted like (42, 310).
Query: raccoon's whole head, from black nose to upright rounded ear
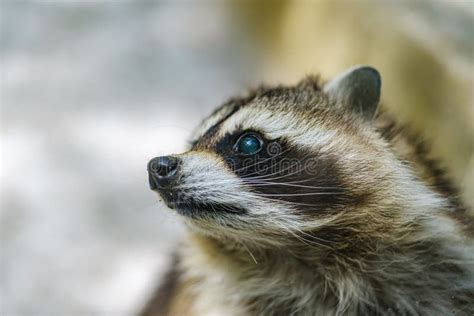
(279, 160)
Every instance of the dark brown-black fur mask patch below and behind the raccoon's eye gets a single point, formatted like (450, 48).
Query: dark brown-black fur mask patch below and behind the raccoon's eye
(307, 181)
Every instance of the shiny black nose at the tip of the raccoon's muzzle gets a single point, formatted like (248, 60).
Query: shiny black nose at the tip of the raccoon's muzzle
(162, 171)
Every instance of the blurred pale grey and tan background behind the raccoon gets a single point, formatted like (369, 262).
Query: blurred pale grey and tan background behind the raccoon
(91, 90)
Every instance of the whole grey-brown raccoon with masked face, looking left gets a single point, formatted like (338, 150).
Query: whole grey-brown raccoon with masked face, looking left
(308, 200)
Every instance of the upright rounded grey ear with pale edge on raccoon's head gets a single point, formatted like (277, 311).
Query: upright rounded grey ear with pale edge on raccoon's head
(358, 89)
